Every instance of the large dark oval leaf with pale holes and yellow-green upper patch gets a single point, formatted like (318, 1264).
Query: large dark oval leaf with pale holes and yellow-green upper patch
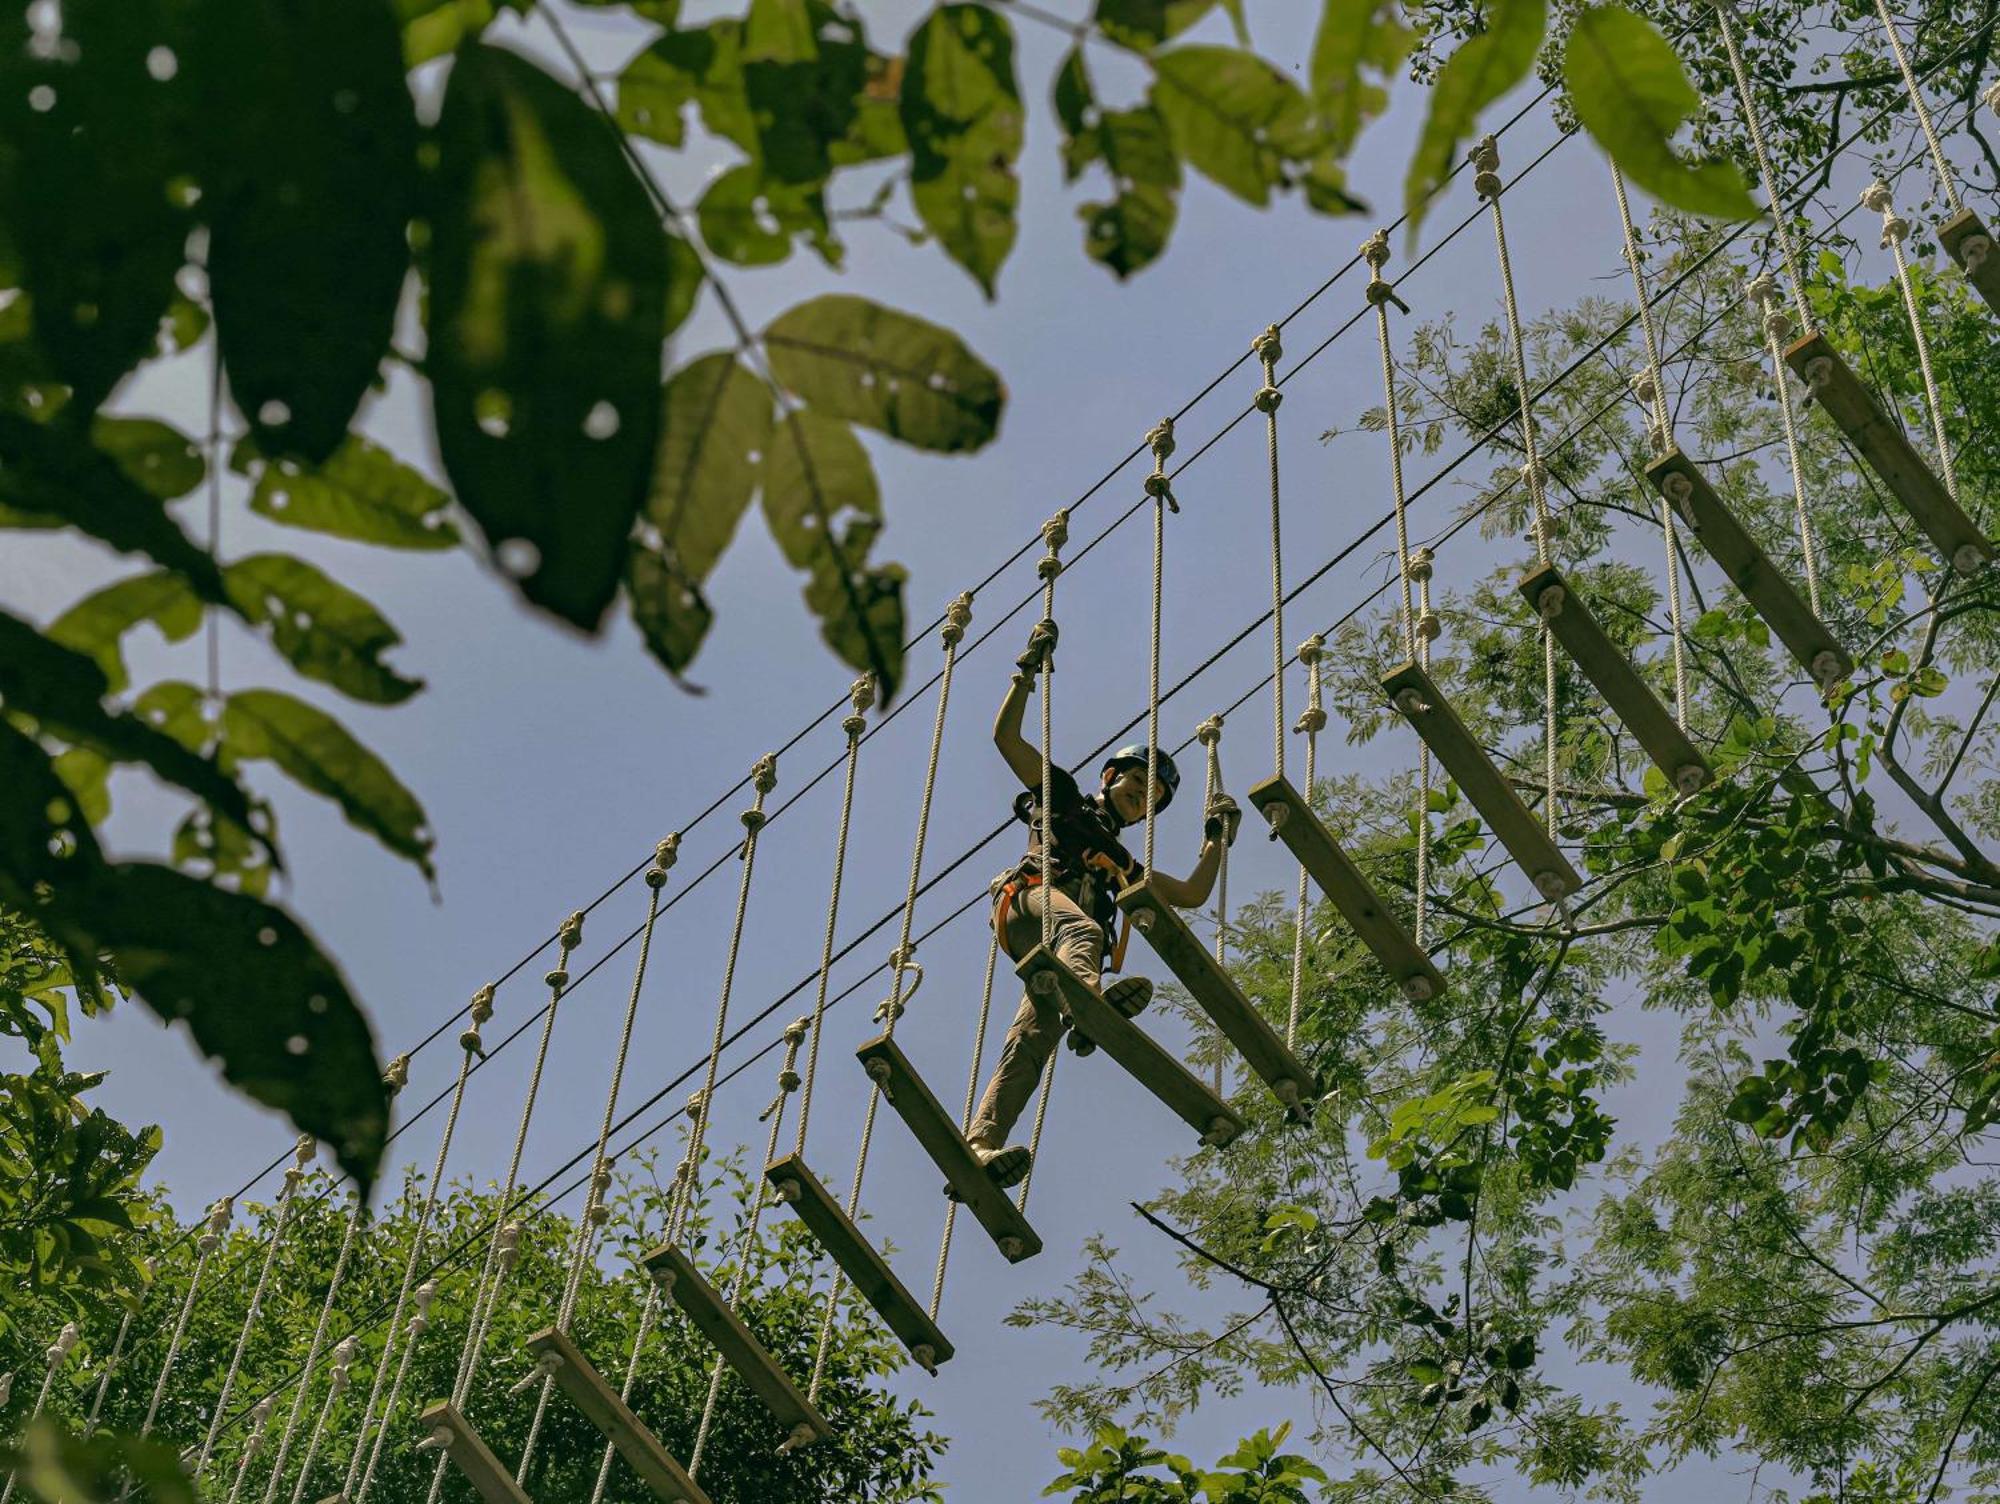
(547, 317)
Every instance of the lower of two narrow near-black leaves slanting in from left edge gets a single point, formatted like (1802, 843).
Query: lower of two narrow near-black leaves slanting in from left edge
(63, 693)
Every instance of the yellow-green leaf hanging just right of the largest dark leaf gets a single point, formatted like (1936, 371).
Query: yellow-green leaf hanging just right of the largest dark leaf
(717, 431)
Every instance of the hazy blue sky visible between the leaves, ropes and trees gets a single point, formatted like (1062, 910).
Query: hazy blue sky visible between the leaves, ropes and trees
(551, 765)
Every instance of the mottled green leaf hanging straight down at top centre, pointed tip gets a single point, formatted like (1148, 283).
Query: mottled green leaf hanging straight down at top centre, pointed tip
(961, 111)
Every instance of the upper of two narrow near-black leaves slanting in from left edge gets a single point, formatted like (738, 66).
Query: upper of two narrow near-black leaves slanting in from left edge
(51, 471)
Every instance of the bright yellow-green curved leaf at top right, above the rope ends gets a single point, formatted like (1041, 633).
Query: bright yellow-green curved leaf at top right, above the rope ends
(1631, 93)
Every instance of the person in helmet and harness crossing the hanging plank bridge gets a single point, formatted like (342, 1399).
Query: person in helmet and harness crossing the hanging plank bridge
(1089, 867)
